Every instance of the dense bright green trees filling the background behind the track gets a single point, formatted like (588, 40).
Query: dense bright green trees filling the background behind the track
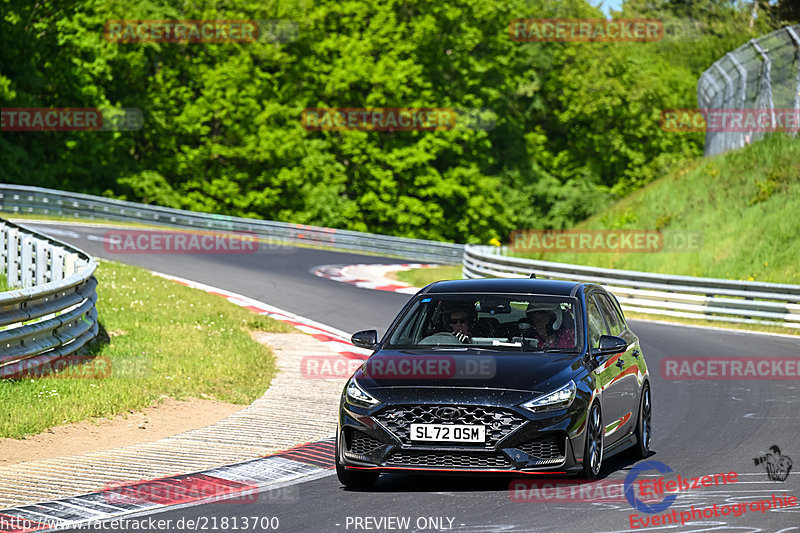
(577, 123)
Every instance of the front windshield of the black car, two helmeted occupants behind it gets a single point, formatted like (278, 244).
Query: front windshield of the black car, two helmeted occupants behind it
(512, 322)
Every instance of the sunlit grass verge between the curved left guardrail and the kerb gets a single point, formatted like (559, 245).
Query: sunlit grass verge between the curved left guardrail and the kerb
(164, 340)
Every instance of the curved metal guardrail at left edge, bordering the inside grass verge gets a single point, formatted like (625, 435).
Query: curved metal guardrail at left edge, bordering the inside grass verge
(53, 313)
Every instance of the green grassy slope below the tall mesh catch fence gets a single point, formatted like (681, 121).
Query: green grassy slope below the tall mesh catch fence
(746, 204)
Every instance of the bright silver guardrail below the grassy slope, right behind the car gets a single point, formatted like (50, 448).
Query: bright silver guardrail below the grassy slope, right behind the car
(656, 294)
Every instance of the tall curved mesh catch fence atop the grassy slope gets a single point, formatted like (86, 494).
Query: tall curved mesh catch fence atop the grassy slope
(762, 74)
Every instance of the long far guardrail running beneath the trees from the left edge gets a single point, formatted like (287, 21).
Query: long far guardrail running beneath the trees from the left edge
(36, 200)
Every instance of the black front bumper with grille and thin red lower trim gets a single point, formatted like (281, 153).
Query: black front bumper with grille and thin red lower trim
(517, 442)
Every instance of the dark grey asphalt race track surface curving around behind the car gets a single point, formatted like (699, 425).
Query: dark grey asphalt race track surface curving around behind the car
(699, 427)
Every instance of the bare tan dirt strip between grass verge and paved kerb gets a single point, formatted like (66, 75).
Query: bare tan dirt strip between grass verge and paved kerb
(165, 419)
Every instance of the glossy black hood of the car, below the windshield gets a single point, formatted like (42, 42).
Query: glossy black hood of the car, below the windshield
(511, 371)
